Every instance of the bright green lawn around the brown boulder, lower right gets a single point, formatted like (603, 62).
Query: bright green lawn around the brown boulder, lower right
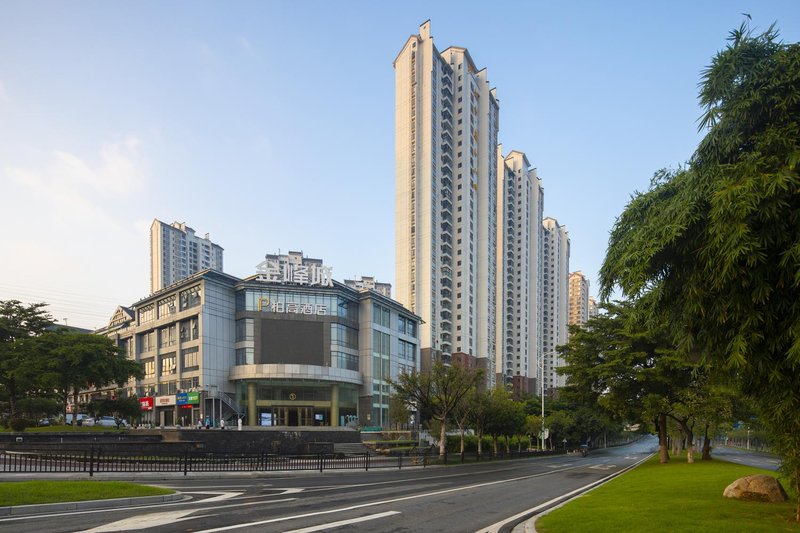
(672, 497)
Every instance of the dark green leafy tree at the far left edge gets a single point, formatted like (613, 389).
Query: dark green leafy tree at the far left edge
(19, 324)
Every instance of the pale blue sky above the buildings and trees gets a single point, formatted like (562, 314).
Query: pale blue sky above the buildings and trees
(270, 125)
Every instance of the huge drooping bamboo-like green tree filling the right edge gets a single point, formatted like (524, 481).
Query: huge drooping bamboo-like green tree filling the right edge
(714, 248)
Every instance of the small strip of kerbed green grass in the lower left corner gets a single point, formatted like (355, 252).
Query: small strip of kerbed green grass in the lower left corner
(32, 492)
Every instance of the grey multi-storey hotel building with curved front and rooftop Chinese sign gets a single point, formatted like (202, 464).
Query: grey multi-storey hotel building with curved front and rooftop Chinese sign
(285, 347)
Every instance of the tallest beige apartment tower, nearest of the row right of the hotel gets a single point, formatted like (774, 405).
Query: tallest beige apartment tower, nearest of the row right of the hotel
(446, 124)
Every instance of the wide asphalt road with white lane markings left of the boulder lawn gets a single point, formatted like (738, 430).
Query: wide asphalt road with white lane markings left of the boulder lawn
(480, 497)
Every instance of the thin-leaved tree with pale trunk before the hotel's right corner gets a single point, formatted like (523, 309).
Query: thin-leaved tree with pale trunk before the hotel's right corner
(437, 392)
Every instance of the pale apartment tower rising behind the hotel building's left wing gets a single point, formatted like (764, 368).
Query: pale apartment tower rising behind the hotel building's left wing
(176, 253)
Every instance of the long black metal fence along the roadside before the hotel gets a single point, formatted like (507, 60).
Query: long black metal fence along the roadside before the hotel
(96, 461)
